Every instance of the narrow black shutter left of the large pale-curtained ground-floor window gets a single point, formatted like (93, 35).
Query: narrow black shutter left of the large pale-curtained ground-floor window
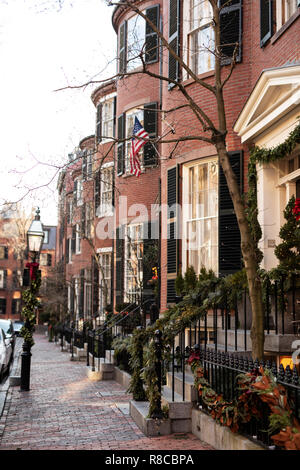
(172, 242)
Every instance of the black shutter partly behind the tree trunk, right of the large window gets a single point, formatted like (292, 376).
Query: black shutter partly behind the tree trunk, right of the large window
(230, 258)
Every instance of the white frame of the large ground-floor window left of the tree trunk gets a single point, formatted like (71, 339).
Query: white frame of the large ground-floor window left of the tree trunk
(193, 214)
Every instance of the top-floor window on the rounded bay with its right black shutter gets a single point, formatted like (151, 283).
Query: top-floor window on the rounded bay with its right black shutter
(136, 36)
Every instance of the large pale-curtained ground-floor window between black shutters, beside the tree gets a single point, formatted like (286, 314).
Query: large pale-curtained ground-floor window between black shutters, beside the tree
(200, 217)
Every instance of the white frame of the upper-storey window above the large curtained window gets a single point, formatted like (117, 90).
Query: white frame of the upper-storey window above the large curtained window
(192, 27)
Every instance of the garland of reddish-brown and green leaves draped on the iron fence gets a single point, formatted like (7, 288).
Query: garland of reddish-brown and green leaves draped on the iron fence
(254, 386)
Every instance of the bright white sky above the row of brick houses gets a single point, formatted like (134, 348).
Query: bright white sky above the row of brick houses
(43, 48)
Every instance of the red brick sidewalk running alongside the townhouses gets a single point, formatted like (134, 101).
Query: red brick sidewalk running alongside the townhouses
(64, 410)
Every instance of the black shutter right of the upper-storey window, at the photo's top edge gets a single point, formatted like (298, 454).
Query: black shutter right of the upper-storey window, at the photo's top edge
(231, 31)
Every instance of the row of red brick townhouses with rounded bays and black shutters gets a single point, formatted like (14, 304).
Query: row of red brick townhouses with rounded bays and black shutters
(119, 213)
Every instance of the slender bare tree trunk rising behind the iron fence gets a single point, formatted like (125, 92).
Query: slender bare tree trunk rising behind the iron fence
(248, 252)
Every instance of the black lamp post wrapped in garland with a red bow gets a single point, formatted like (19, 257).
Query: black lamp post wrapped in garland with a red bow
(35, 237)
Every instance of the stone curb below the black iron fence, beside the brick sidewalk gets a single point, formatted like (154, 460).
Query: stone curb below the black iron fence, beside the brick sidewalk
(219, 437)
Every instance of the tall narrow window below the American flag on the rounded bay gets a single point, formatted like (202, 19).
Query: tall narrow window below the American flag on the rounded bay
(133, 262)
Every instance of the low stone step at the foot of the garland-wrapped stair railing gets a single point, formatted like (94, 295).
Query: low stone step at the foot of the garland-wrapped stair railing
(150, 427)
